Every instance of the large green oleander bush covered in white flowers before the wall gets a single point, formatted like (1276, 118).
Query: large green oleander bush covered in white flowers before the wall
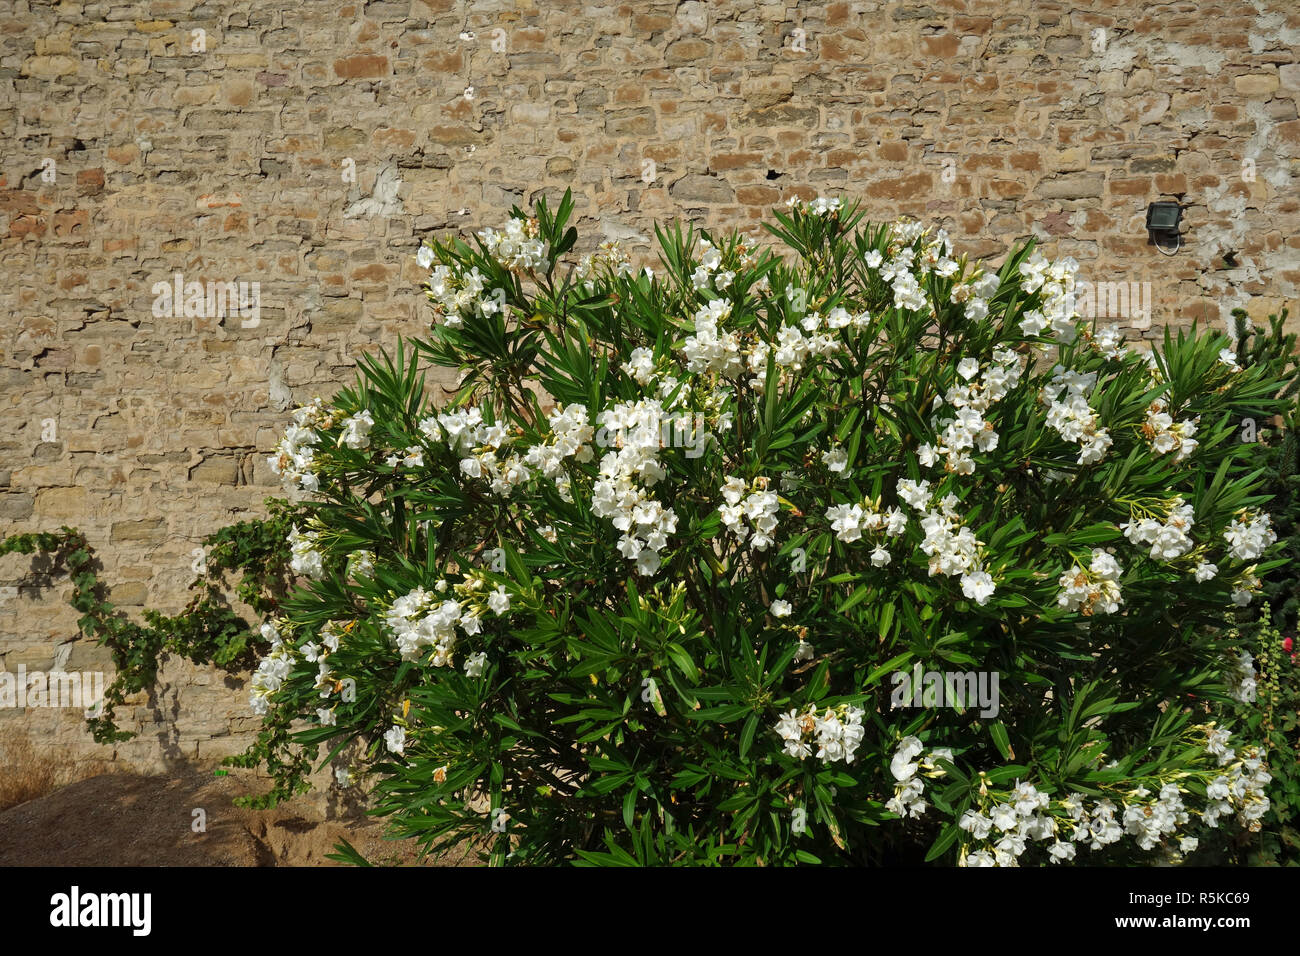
(643, 589)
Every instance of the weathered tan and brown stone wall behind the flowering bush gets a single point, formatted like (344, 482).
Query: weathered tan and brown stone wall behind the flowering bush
(310, 146)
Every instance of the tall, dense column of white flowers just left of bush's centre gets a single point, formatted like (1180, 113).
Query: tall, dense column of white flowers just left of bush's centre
(644, 522)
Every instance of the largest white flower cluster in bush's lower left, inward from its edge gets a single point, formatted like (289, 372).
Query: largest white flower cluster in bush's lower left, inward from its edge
(430, 620)
